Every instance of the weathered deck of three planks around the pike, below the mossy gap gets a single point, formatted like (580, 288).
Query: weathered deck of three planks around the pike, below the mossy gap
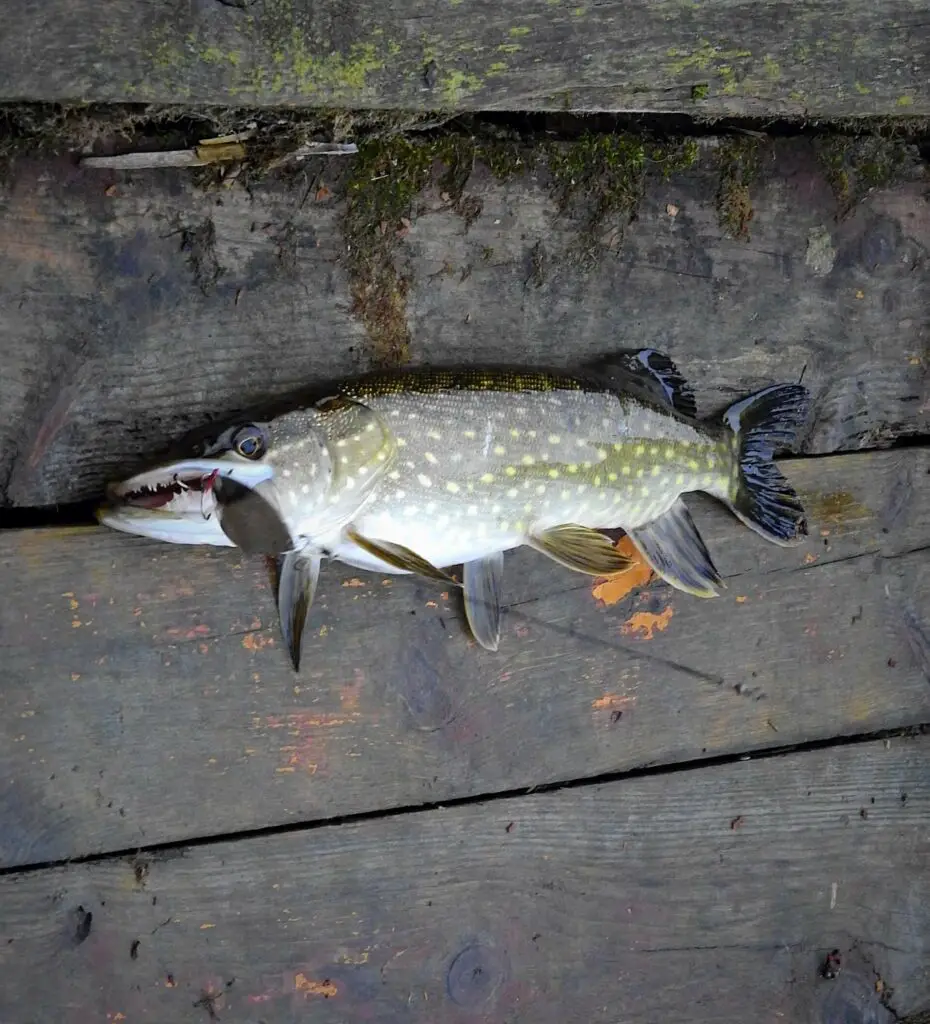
(647, 807)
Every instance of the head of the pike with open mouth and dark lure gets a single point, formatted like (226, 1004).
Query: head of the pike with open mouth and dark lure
(249, 485)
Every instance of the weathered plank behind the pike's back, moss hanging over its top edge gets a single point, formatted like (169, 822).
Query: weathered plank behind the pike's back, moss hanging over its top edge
(137, 306)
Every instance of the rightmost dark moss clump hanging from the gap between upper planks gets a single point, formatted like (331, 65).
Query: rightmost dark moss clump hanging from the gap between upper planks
(857, 165)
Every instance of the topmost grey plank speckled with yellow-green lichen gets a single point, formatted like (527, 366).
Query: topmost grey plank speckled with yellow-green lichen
(814, 60)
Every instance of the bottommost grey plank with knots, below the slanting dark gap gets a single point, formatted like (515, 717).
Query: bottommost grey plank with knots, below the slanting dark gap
(712, 895)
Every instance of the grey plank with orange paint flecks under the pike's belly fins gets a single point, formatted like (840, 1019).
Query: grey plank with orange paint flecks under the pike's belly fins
(147, 698)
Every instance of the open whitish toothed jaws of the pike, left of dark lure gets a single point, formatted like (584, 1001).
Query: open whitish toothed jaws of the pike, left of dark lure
(170, 503)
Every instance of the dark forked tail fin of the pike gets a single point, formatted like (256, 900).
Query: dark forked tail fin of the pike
(759, 495)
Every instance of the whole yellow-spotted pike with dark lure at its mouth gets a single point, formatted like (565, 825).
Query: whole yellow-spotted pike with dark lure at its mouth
(426, 471)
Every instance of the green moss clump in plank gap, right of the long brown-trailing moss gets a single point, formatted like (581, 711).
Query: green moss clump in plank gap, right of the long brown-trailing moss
(602, 180)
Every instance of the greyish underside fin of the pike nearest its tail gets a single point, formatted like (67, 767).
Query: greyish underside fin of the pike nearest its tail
(673, 547)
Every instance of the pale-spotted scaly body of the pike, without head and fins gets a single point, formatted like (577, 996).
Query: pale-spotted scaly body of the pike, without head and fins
(479, 466)
